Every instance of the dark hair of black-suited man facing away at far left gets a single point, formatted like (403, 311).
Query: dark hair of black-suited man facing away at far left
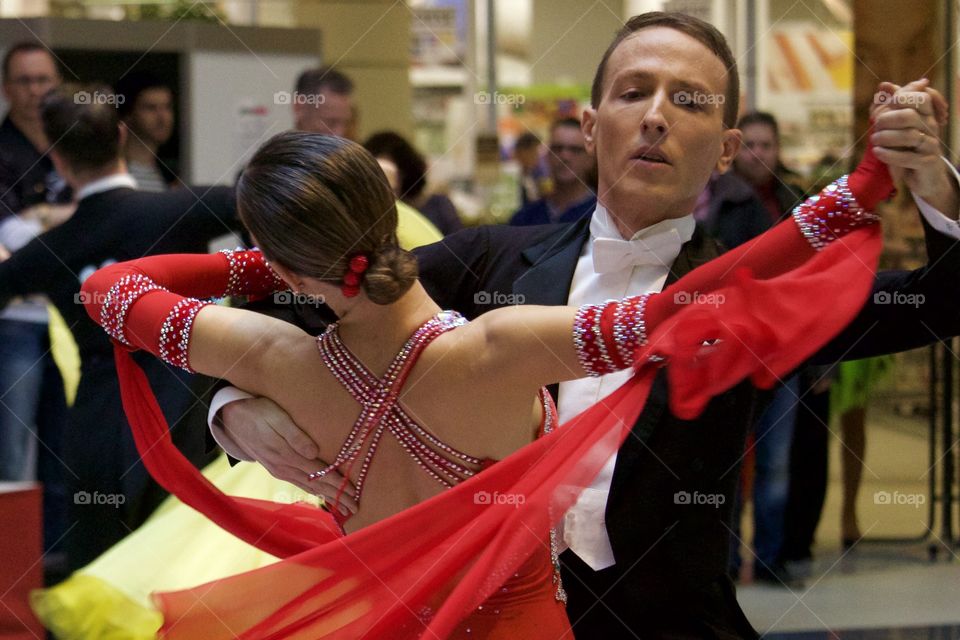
(82, 124)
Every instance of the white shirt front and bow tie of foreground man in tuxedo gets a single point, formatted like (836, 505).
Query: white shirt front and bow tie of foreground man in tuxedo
(610, 268)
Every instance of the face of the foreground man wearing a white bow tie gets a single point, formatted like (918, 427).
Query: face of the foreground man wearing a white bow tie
(658, 130)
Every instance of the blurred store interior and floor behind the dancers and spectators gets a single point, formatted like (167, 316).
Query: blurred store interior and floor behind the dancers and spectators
(464, 78)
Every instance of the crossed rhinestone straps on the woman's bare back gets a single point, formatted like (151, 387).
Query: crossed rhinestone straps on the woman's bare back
(381, 411)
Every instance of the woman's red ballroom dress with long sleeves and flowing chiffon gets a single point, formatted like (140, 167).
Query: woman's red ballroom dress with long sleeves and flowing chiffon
(426, 571)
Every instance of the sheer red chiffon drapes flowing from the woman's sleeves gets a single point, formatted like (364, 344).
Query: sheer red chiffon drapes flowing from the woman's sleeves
(419, 573)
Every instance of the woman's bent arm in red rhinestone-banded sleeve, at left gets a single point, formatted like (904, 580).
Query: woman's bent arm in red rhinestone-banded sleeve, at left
(162, 304)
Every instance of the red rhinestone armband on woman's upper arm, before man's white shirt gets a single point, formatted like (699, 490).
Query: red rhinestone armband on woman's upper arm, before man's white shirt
(607, 336)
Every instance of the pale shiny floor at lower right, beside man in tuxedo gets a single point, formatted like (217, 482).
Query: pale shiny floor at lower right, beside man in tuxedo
(877, 590)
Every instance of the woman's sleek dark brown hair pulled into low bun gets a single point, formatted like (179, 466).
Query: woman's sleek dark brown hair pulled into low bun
(314, 201)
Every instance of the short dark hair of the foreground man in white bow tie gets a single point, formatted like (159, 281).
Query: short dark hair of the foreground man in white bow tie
(703, 32)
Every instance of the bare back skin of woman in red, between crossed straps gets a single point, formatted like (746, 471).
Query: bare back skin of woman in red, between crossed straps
(448, 393)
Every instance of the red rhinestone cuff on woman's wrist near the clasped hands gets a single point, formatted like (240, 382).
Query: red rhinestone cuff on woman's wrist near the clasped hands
(830, 215)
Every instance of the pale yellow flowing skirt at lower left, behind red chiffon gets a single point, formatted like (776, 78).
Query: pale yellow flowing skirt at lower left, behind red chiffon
(176, 548)
